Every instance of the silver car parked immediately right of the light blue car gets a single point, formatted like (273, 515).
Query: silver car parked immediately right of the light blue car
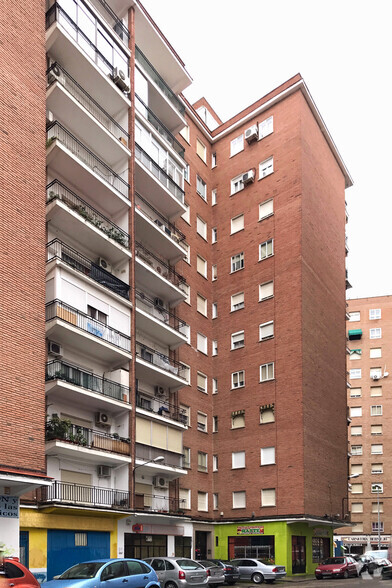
(178, 572)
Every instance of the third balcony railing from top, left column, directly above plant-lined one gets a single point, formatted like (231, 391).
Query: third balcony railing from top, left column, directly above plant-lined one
(57, 131)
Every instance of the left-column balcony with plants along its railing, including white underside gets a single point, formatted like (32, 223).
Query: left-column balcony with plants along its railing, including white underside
(72, 215)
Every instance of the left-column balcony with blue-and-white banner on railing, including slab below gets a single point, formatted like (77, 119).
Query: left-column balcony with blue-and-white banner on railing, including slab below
(70, 327)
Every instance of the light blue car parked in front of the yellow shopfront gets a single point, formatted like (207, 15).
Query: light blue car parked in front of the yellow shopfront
(107, 573)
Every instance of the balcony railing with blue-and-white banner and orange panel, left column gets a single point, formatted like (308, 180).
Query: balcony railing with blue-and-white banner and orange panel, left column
(84, 322)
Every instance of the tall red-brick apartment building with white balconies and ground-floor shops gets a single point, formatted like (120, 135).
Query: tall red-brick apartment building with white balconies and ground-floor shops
(193, 386)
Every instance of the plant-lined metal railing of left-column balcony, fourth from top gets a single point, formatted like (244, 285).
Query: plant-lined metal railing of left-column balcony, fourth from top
(57, 191)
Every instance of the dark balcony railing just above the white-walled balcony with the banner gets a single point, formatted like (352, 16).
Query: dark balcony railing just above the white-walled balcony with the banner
(56, 249)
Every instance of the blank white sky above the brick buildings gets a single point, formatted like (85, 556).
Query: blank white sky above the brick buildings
(237, 51)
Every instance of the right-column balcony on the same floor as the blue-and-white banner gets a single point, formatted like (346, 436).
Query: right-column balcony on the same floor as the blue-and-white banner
(158, 369)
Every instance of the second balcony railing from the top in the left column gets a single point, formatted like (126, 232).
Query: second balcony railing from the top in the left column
(85, 100)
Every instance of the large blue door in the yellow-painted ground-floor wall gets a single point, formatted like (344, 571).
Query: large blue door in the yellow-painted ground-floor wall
(66, 548)
